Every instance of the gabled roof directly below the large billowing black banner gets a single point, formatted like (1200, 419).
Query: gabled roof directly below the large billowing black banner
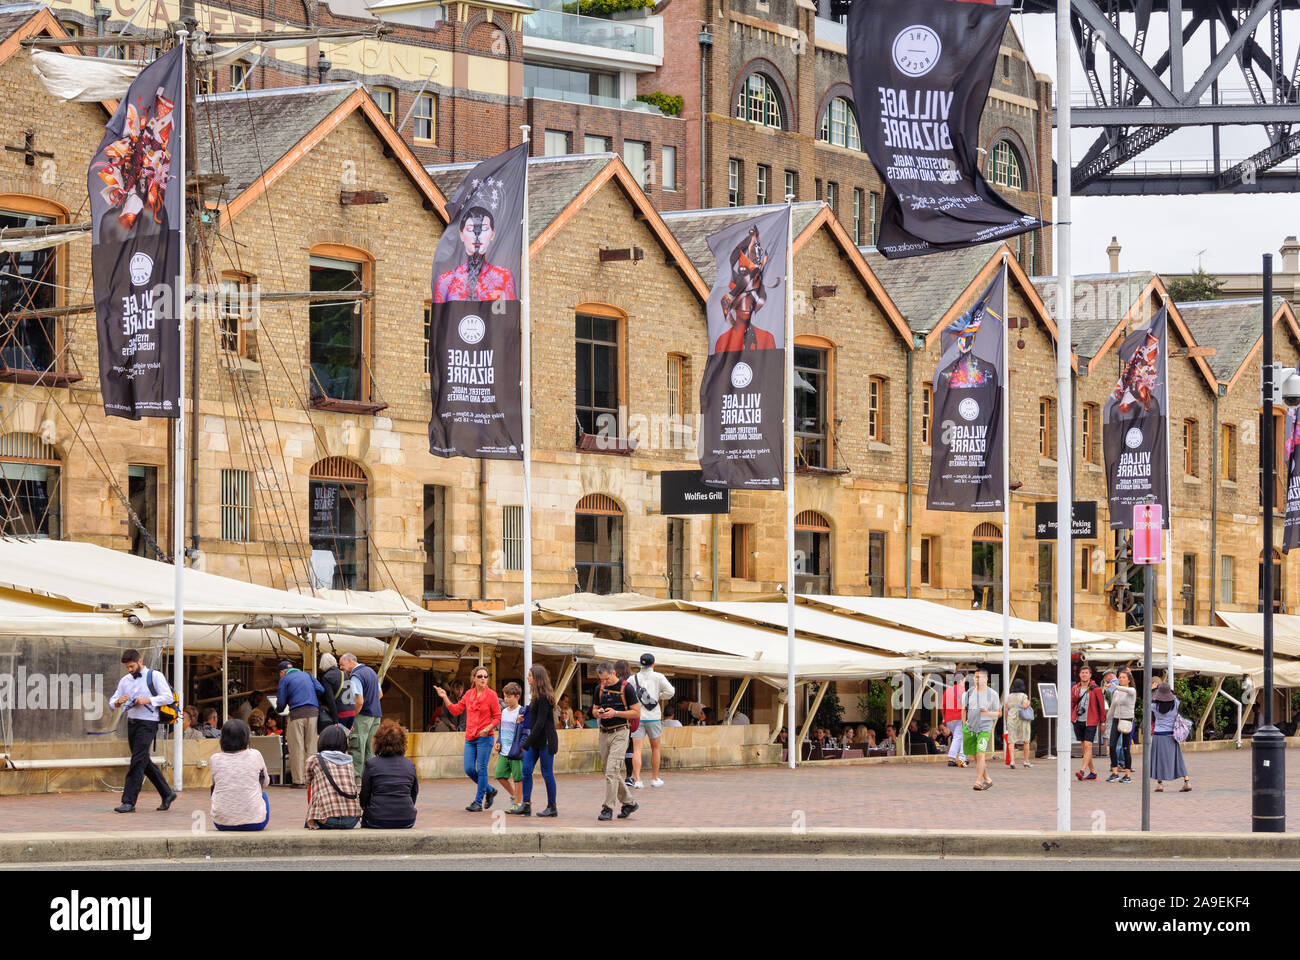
(938, 287)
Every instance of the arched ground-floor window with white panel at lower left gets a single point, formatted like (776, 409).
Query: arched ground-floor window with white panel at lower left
(337, 527)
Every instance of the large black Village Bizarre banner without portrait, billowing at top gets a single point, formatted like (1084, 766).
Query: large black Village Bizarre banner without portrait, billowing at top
(921, 73)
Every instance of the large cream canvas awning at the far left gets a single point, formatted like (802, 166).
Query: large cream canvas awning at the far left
(88, 578)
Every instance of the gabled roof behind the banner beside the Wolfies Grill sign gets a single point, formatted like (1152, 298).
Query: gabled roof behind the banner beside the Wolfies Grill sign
(695, 227)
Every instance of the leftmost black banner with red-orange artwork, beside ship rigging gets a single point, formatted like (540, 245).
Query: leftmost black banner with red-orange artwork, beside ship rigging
(137, 204)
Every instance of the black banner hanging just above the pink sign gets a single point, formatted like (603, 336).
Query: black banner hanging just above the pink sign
(1134, 433)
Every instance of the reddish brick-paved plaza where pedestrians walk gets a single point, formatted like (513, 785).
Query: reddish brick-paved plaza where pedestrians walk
(925, 797)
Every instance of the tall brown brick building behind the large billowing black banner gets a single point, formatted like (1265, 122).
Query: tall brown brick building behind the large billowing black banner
(766, 89)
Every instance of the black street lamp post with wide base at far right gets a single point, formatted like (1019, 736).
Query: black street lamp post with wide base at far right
(1268, 746)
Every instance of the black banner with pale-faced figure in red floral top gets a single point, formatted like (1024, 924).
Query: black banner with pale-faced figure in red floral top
(475, 325)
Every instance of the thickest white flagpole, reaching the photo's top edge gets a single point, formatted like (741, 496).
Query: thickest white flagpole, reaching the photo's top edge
(1065, 448)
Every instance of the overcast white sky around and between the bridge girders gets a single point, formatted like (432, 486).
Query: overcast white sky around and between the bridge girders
(1228, 233)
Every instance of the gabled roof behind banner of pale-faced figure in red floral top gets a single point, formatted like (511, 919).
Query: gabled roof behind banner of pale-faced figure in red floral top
(560, 187)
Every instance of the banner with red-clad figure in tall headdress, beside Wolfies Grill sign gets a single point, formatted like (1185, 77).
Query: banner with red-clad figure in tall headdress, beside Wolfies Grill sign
(743, 392)
